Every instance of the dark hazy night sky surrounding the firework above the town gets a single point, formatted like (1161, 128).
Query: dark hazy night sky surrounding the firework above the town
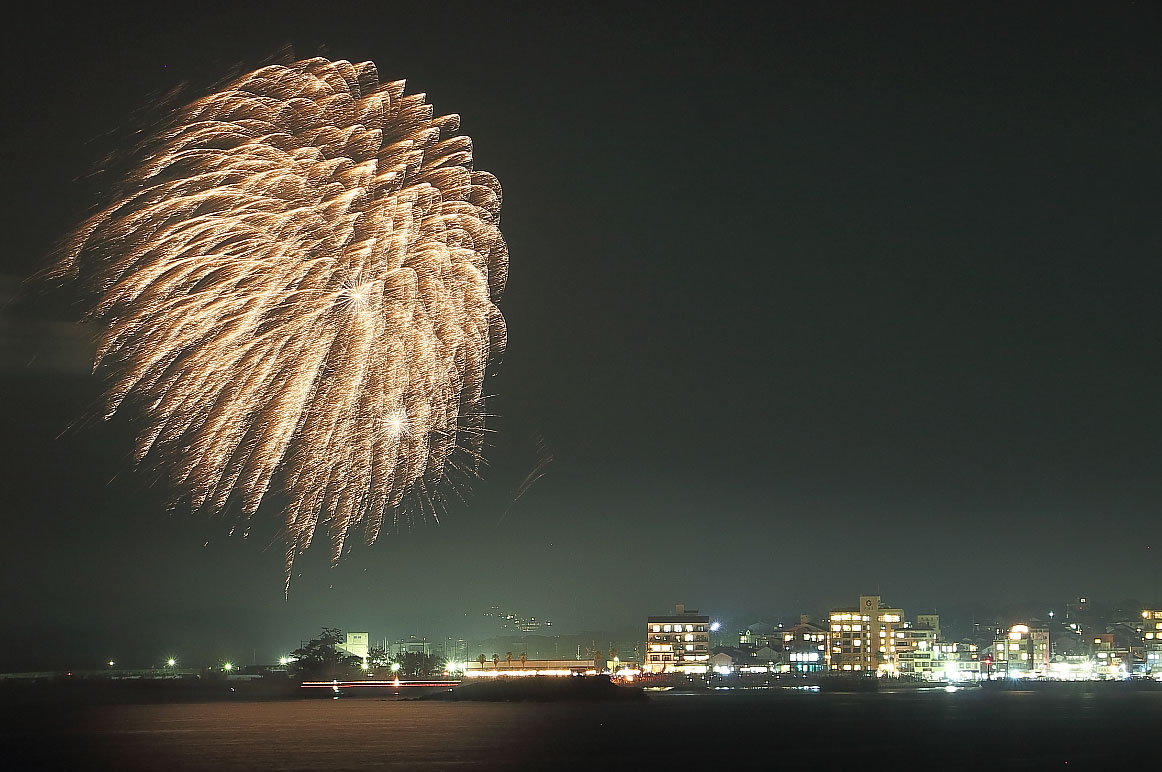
(807, 304)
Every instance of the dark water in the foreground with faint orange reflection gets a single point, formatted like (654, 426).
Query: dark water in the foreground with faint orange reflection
(922, 731)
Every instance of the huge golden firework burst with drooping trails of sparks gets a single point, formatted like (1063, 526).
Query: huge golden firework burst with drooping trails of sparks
(298, 289)
